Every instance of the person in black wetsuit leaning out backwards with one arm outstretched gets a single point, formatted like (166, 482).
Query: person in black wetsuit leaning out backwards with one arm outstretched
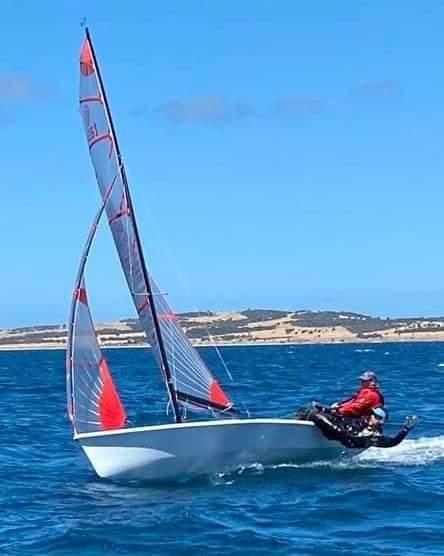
(370, 435)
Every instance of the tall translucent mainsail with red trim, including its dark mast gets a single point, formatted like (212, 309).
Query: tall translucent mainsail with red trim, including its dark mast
(188, 380)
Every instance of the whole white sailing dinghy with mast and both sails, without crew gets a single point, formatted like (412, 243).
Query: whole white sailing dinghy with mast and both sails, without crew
(99, 419)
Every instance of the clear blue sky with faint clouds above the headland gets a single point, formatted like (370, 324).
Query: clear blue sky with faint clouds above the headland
(280, 154)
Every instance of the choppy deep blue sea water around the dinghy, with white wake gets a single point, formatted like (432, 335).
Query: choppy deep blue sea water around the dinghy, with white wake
(384, 502)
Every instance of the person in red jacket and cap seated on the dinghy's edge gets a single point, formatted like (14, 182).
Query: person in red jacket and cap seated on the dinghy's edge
(361, 404)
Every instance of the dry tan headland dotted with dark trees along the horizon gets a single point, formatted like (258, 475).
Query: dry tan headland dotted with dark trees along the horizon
(251, 326)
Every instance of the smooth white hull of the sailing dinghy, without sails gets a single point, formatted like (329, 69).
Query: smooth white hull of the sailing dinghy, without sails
(179, 451)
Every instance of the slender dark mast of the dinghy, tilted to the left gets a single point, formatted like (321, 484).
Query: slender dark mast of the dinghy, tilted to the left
(164, 359)
